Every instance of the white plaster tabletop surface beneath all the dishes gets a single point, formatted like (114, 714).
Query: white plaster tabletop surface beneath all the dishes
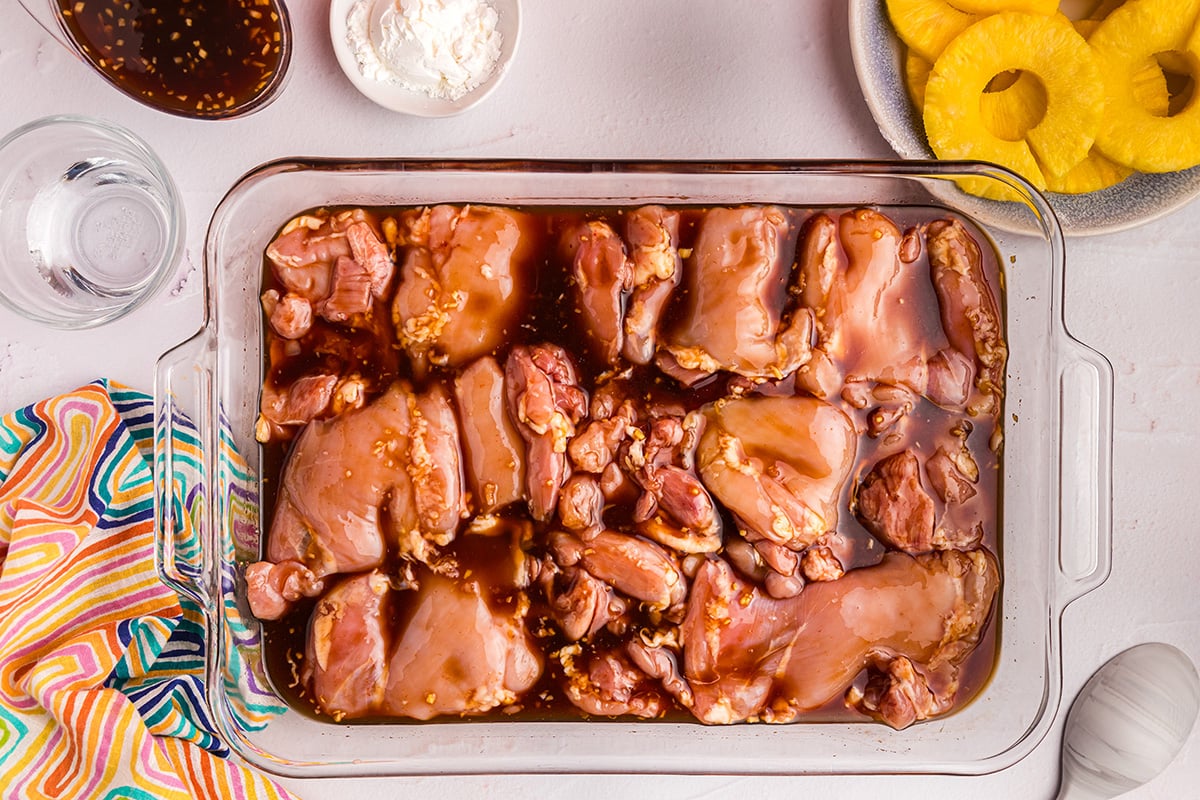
(681, 80)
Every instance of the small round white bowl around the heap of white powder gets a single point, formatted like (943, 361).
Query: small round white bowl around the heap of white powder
(407, 101)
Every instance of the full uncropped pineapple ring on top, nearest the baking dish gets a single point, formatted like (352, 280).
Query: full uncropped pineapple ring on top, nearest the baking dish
(1049, 49)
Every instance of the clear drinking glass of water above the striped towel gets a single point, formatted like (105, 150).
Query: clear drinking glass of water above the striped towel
(91, 222)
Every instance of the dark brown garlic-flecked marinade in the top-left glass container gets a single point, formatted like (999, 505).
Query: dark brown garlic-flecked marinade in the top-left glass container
(193, 58)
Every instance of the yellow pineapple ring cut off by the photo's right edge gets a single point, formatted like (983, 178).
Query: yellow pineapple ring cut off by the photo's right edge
(1131, 134)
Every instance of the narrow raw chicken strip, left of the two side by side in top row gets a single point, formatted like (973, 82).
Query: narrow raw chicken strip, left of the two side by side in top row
(603, 278)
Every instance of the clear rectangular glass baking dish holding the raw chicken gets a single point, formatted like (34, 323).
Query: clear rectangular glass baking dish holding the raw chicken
(1055, 536)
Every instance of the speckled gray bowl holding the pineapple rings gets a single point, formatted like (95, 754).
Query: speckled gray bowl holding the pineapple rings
(879, 62)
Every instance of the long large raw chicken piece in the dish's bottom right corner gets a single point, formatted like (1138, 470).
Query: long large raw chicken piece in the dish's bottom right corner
(749, 655)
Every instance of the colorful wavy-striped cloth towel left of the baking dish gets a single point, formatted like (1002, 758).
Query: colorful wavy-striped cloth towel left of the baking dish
(101, 665)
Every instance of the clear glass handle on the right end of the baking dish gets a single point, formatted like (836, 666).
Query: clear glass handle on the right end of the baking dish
(1085, 472)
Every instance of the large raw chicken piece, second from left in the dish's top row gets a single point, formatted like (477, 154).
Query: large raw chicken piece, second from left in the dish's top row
(466, 276)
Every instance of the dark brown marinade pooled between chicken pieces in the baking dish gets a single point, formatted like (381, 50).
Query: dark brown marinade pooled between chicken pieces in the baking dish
(551, 316)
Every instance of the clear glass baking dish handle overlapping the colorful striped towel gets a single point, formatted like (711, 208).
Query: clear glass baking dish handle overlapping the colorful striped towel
(183, 460)
